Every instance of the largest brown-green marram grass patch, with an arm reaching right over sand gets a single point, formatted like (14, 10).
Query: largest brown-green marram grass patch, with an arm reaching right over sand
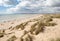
(41, 25)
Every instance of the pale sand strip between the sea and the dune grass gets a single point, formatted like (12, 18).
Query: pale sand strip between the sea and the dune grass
(18, 21)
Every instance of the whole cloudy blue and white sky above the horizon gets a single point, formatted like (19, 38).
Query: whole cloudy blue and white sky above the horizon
(29, 6)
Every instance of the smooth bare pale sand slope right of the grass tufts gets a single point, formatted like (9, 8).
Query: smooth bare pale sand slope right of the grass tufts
(50, 32)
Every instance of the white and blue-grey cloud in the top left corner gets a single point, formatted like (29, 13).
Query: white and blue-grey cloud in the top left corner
(7, 3)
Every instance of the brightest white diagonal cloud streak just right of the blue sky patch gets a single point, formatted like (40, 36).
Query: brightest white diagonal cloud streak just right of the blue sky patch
(18, 7)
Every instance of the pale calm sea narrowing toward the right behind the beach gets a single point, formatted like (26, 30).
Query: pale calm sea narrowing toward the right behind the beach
(8, 17)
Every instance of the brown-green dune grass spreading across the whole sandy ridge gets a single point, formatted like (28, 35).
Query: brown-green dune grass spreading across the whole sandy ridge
(35, 29)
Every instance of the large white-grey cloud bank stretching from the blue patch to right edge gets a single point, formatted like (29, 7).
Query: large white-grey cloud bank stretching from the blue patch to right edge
(36, 6)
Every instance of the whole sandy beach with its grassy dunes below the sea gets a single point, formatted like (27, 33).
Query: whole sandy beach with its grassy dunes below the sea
(43, 27)
